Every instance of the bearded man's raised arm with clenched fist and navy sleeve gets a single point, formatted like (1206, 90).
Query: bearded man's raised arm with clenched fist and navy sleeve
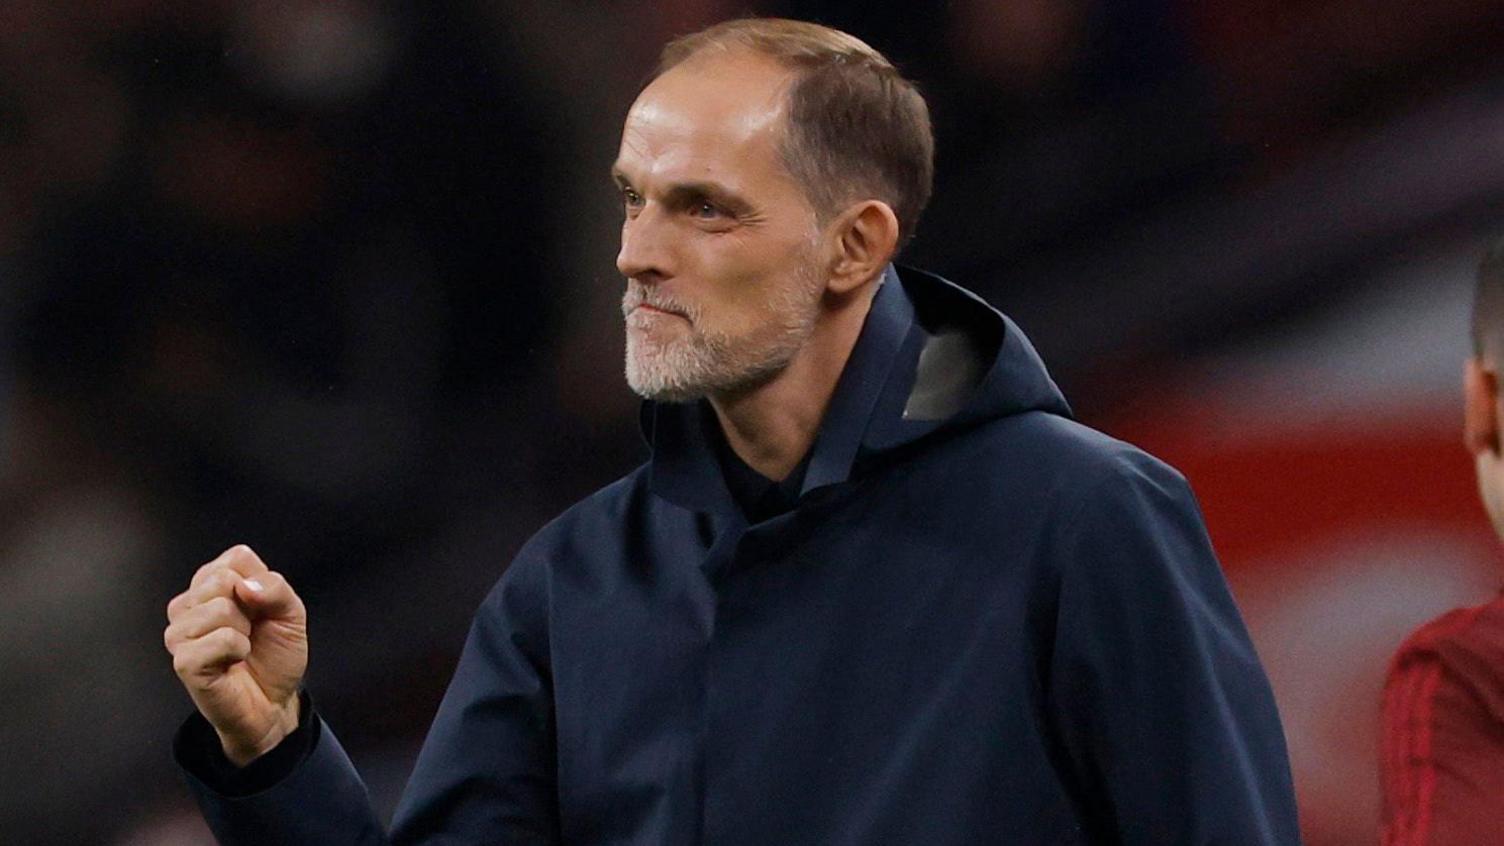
(265, 771)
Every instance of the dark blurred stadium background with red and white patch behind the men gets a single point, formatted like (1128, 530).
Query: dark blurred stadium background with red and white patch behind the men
(335, 279)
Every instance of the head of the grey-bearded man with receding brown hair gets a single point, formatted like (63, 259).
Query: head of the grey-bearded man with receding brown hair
(768, 174)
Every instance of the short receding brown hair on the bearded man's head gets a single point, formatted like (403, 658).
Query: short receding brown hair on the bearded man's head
(857, 127)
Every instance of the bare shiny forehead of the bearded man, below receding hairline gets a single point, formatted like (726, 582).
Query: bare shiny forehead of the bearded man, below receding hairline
(715, 118)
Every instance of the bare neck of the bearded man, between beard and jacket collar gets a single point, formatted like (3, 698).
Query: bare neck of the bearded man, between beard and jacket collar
(774, 425)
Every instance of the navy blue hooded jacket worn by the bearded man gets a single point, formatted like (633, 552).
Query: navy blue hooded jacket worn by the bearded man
(983, 622)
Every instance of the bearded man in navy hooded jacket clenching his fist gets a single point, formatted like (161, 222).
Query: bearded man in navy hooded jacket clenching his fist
(873, 586)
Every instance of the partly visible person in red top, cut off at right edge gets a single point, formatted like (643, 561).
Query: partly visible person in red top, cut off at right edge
(1443, 738)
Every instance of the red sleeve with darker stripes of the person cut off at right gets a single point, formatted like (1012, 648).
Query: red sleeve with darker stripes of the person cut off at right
(1443, 744)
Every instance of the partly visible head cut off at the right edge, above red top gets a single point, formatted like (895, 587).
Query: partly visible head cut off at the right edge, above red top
(1482, 385)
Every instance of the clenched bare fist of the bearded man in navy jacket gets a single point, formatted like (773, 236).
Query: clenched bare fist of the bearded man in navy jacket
(240, 644)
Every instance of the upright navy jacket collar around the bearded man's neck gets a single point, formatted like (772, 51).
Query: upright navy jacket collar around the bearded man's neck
(684, 469)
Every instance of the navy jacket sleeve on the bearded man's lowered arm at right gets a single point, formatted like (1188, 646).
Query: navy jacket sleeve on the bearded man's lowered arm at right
(1166, 717)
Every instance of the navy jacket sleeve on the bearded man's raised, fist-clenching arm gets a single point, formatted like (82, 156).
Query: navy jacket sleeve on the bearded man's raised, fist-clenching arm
(485, 773)
